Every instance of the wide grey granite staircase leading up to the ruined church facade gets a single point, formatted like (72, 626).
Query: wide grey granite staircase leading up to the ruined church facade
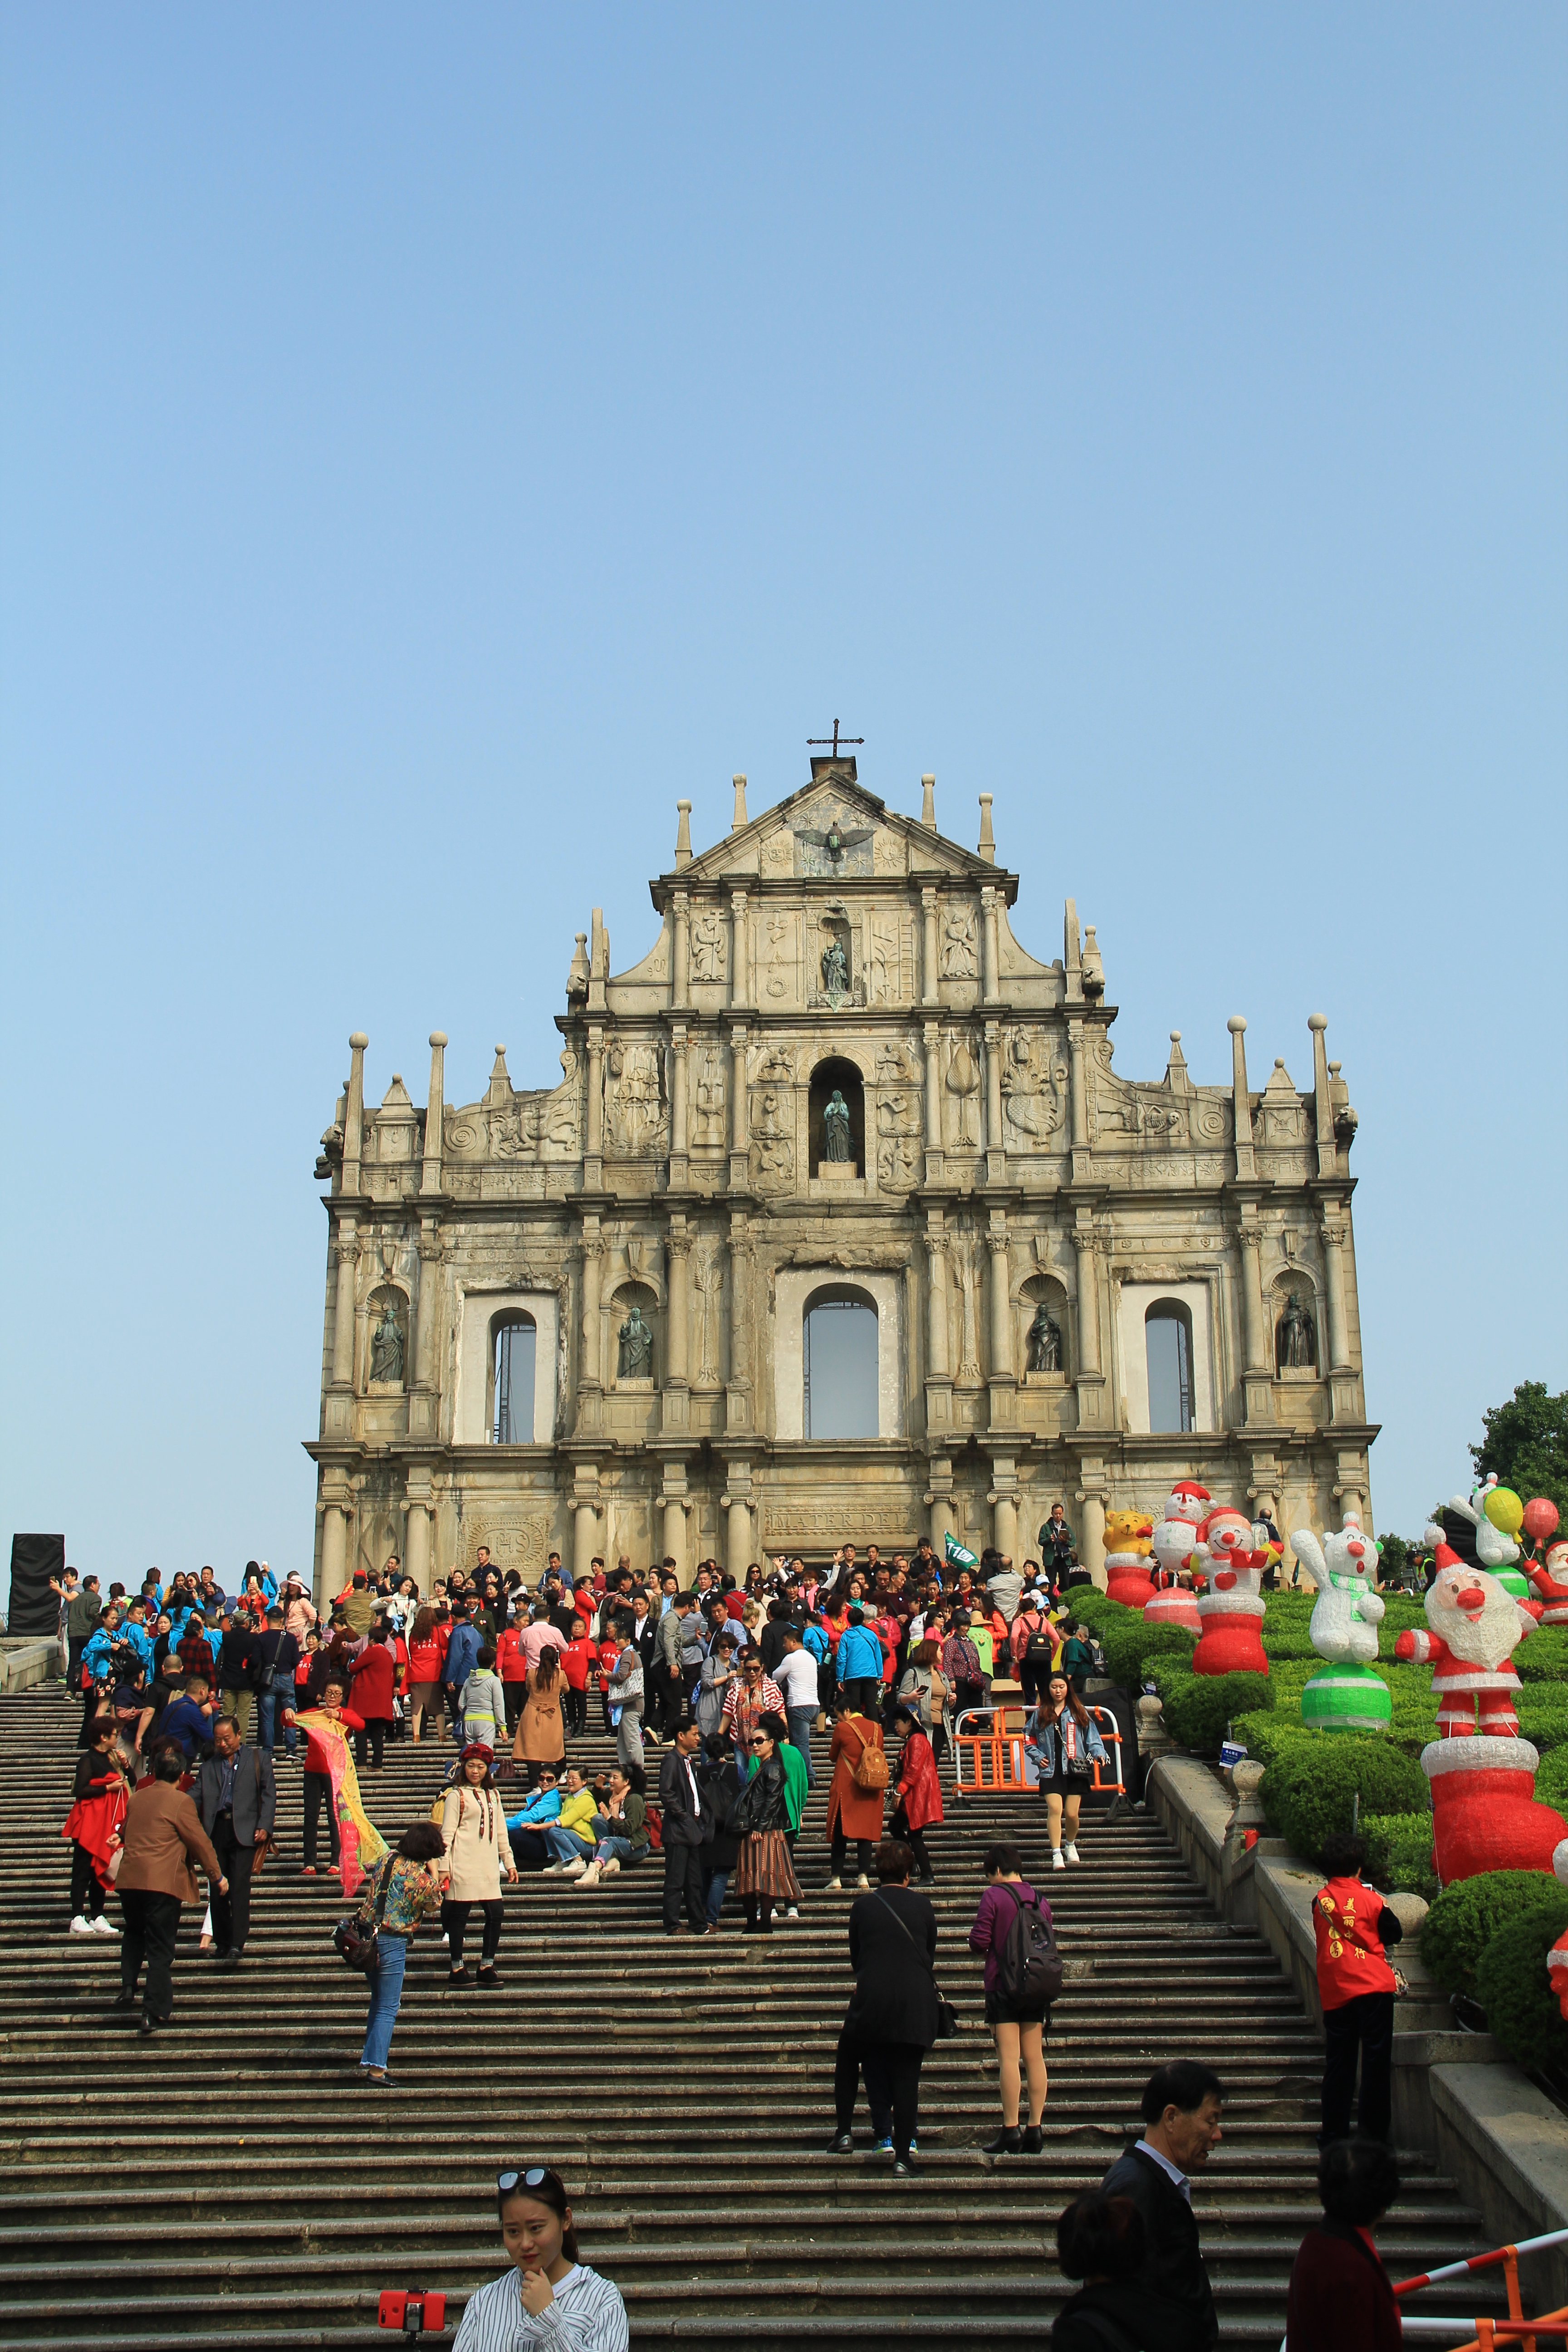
(232, 2184)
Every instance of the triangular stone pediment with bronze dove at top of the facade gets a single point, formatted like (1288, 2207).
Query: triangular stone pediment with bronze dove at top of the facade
(798, 838)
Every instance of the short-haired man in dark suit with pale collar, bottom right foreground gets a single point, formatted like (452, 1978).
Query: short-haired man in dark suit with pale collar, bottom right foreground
(1181, 2116)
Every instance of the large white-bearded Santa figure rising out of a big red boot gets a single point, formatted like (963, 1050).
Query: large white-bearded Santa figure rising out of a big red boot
(1482, 1772)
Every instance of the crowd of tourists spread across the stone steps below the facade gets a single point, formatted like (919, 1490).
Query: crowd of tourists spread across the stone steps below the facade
(192, 1695)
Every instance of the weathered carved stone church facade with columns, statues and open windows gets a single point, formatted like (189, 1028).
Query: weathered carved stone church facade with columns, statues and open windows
(664, 1217)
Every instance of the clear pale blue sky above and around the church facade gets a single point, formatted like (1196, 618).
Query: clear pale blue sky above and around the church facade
(438, 441)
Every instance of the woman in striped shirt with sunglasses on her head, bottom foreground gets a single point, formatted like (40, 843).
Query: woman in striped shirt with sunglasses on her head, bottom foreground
(547, 2297)
